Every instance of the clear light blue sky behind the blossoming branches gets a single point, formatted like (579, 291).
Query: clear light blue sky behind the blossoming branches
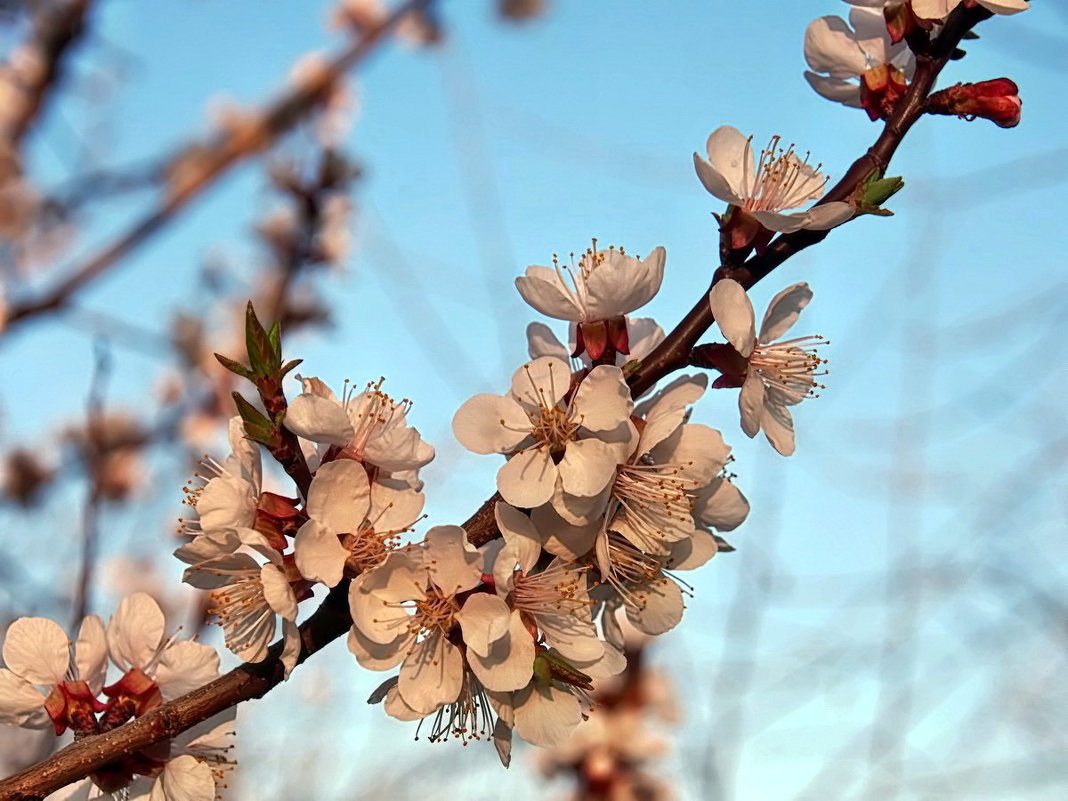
(511, 144)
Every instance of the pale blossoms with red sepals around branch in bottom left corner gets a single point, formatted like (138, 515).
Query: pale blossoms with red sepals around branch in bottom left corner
(49, 681)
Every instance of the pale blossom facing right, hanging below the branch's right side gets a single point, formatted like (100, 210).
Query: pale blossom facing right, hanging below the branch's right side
(773, 375)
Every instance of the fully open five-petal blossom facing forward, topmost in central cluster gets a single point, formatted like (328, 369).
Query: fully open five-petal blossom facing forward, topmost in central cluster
(549, 438)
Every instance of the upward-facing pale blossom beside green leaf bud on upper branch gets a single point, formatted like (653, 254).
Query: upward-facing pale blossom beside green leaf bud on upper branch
(765, 187)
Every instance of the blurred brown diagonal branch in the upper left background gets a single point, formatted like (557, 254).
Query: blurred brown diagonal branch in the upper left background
(206, 164)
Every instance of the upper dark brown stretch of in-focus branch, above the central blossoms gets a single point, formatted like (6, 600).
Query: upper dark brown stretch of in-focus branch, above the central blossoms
(674, 352)
